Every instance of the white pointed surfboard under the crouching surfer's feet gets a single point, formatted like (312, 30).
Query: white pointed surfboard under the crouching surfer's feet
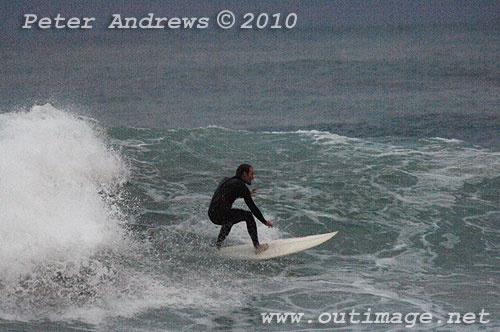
(276, 248)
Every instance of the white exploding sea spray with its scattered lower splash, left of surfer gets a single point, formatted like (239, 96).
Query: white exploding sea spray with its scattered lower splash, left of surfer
(62, 240)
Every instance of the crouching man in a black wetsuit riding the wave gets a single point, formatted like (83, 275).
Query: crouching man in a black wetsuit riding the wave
(222, 213)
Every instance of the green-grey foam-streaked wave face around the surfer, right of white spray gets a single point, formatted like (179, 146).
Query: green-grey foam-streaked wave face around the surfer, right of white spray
(417, 220)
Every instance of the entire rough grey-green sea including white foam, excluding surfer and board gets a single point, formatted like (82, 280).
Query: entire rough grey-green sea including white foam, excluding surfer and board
(113, 145)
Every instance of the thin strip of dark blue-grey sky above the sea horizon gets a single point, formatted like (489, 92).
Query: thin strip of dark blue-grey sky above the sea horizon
(336, 13)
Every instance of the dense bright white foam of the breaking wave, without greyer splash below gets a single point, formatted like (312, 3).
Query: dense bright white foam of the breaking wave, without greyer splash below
(52, 168)
